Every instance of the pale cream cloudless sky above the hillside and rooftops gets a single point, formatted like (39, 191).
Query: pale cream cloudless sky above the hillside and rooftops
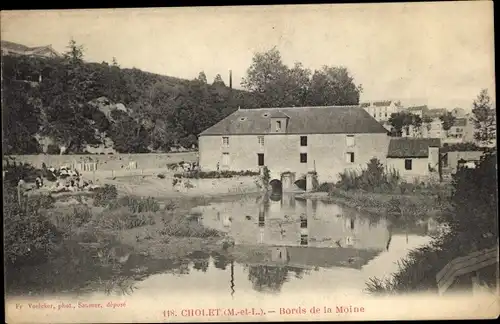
(439, 54)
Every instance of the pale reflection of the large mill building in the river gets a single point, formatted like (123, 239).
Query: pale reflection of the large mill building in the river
(296, 222)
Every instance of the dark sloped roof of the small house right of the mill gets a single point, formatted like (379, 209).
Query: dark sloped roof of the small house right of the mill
(404, 147)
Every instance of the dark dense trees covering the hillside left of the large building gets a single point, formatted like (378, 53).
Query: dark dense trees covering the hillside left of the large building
(50, 97)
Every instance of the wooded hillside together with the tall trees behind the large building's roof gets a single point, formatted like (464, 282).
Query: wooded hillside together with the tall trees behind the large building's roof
(52, 99)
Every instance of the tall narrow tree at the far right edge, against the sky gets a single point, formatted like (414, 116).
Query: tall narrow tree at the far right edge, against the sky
(484, 119)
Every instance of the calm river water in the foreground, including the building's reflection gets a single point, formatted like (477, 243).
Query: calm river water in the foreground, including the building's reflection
(283, 244)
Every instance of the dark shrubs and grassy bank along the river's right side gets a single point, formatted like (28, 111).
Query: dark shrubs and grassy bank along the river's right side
(468, 206)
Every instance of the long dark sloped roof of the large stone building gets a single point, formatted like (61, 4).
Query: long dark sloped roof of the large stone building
(302, 120)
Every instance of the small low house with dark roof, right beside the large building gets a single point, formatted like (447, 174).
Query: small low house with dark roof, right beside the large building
(414, 157)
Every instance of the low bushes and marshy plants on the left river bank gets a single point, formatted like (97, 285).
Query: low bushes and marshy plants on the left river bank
(47, 235)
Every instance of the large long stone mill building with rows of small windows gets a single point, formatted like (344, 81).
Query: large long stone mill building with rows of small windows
(296, 141)
